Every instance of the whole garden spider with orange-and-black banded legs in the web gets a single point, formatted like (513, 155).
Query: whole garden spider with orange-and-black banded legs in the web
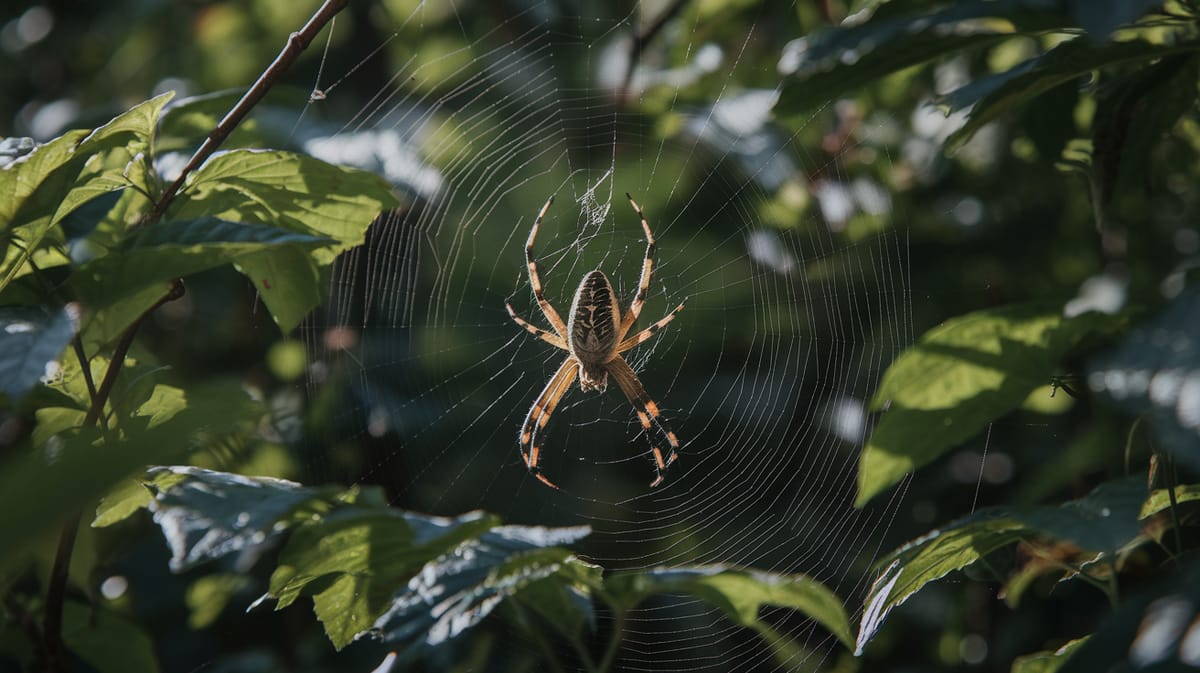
(595, 339)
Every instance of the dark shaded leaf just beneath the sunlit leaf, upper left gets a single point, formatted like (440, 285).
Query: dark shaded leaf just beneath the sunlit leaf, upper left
(161, 253)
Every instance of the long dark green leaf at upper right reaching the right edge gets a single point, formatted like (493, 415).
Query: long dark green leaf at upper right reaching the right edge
(1000, 94)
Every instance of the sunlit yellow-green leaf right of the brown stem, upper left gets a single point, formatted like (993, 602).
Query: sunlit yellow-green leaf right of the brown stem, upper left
(291, 191)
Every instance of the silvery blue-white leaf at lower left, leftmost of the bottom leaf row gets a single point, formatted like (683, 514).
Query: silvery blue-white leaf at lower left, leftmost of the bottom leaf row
(208, 514)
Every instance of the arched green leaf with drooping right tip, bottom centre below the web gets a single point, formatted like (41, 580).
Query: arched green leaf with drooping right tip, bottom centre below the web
(739, 593)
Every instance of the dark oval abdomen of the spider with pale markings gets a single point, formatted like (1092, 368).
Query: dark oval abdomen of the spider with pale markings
(592, 327)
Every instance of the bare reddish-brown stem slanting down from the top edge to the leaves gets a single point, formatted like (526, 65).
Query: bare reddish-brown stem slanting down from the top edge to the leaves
(297, 44)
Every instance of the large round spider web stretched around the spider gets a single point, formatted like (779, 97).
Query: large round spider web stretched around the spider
(765, 376)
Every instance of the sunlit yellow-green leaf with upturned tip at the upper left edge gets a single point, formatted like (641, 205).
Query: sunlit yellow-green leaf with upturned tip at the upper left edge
(47, 187)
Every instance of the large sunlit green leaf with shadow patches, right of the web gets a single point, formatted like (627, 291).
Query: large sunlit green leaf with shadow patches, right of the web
(957, 380)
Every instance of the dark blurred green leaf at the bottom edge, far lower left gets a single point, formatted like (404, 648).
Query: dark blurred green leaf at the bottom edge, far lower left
(109, 642)
